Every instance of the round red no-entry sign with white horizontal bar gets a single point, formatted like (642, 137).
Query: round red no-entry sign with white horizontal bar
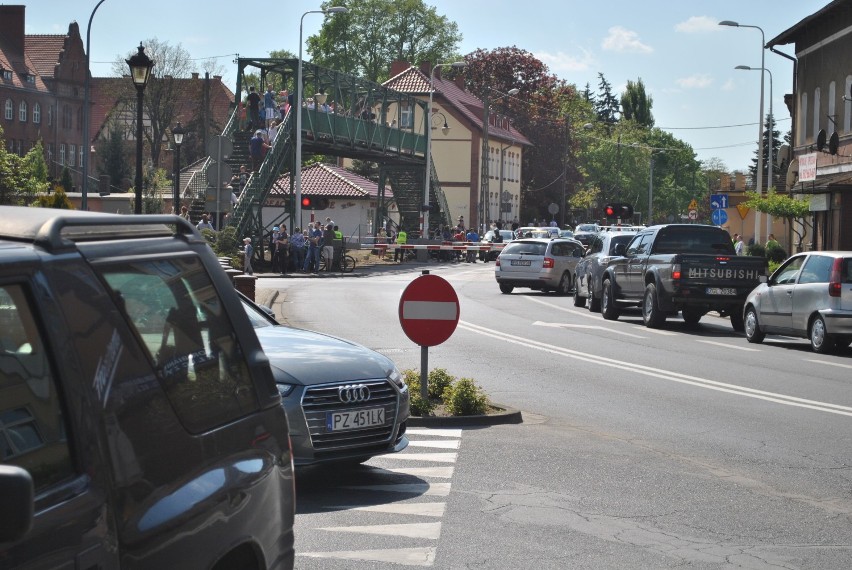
(429, 310)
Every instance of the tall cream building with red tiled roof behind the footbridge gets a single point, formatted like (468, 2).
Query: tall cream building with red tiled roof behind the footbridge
(457, 156)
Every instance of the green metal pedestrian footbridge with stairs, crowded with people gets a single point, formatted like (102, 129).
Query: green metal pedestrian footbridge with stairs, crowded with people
(359, 123)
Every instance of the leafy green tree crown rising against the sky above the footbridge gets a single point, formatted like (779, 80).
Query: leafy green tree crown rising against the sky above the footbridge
(365, 40)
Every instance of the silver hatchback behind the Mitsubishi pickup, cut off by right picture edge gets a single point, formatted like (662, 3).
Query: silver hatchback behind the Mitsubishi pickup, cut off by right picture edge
(809, 296)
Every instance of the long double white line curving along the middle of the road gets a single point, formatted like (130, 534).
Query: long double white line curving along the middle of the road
(660, 373)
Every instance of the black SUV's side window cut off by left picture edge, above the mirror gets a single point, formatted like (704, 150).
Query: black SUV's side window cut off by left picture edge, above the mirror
(32, 429)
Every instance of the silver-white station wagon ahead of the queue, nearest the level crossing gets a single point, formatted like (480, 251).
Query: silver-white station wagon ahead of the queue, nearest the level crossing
(538, 263)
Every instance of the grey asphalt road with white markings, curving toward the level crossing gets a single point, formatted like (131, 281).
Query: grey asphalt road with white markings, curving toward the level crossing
(639, 448)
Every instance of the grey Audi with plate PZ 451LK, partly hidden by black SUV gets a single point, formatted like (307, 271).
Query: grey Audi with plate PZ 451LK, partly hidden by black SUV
(345, 403)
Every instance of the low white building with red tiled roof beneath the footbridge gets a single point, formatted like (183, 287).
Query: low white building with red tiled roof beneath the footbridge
(352, 199)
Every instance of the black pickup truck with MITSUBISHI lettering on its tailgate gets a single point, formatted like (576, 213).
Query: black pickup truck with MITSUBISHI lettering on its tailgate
(687, 268)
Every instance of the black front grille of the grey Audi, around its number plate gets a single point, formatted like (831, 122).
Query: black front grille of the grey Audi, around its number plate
(319, 400)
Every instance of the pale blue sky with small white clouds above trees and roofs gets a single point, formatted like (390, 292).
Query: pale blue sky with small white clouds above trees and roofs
(676, 47)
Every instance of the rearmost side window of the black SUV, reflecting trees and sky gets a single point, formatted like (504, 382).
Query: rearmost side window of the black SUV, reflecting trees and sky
(178, 315)
